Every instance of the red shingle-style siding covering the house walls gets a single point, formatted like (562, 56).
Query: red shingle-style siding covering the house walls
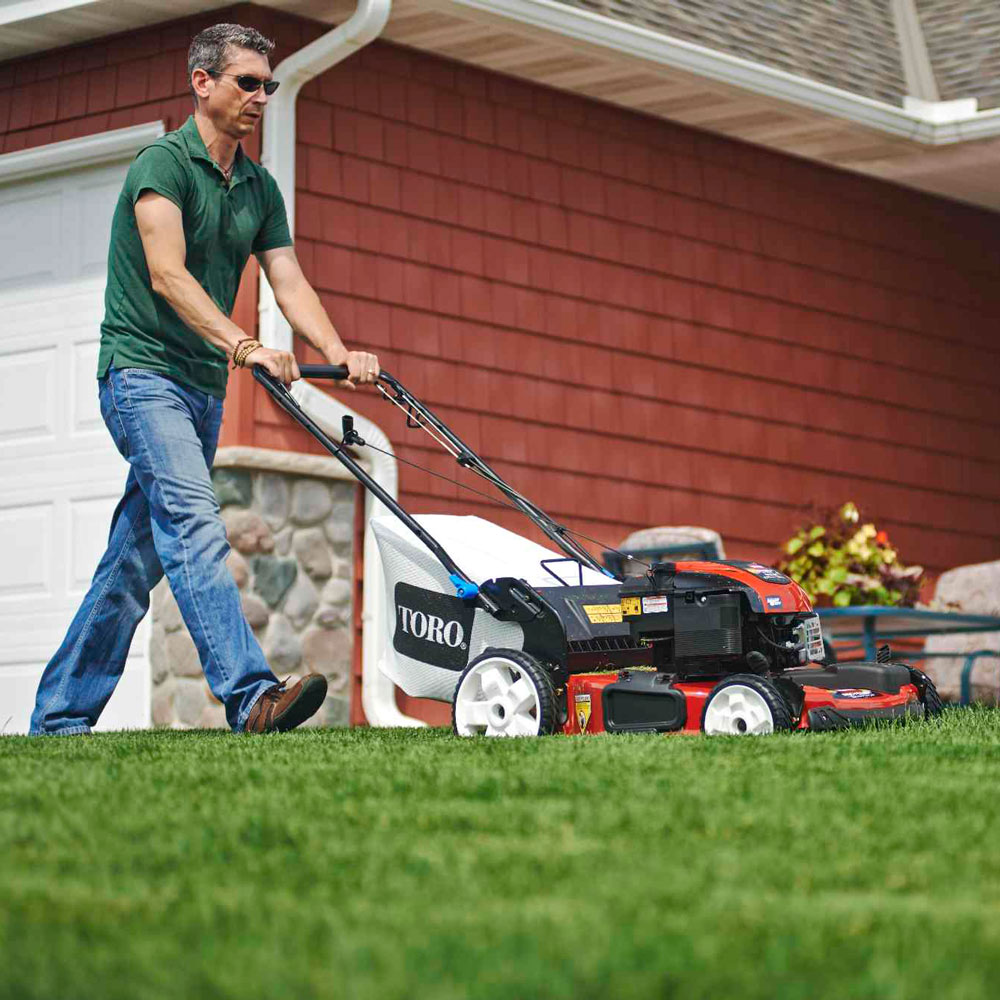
(638, 323)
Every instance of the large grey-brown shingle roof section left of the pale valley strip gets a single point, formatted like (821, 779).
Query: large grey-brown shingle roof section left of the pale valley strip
(850, 45)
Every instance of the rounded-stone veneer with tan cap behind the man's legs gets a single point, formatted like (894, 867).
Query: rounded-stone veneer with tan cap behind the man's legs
(292, 558)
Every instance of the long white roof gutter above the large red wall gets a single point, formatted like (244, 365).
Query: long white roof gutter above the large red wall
(931, 123)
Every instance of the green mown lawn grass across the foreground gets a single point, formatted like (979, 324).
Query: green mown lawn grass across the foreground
(385, 864)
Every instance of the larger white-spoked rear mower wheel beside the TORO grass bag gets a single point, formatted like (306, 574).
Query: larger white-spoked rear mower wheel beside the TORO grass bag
(504, 692)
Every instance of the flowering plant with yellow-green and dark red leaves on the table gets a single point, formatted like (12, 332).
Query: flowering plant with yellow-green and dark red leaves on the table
(840, 561)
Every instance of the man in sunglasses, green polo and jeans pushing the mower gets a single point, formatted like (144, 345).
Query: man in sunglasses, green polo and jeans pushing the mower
(192, 209)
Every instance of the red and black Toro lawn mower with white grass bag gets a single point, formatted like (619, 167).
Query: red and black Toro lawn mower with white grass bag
(526, 641)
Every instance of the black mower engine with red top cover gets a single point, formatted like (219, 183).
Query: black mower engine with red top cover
(716, 618)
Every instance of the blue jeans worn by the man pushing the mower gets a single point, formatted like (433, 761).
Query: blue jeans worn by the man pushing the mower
(167, 522)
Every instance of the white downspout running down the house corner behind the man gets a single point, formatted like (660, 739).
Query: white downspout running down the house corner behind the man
(378, 693)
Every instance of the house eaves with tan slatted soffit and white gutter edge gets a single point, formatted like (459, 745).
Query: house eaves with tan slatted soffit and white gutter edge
(574, 50)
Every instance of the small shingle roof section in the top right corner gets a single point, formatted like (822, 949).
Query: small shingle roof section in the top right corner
(963, 41)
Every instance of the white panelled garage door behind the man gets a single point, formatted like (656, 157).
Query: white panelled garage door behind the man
(60, 475)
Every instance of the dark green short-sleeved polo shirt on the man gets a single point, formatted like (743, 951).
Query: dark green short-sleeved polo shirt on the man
(224, 222)
